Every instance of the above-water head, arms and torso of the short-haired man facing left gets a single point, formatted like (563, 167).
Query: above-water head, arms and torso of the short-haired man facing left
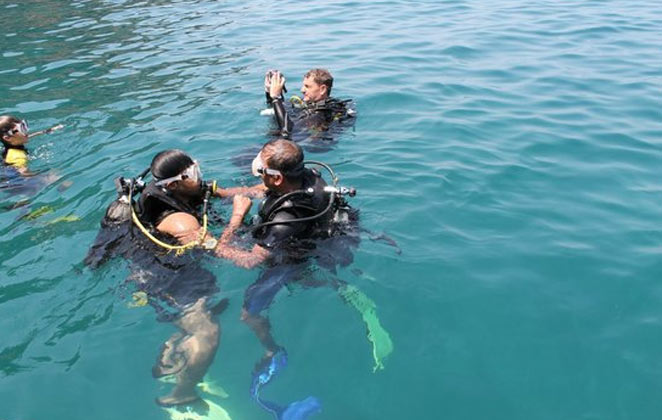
(298, 204)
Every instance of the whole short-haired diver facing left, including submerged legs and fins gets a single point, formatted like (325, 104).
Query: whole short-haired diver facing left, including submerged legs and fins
(301, 219)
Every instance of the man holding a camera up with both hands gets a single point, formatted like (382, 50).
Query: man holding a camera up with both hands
(316, 118)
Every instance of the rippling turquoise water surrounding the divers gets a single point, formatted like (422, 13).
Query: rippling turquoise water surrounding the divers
(513, 149)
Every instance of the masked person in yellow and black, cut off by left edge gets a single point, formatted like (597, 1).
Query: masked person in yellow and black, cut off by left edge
(16, 177)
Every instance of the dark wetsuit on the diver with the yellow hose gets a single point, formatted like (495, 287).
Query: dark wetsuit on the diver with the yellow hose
(176, 280)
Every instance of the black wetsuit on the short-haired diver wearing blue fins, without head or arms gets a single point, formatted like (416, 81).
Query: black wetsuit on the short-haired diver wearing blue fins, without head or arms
(294, 244)
